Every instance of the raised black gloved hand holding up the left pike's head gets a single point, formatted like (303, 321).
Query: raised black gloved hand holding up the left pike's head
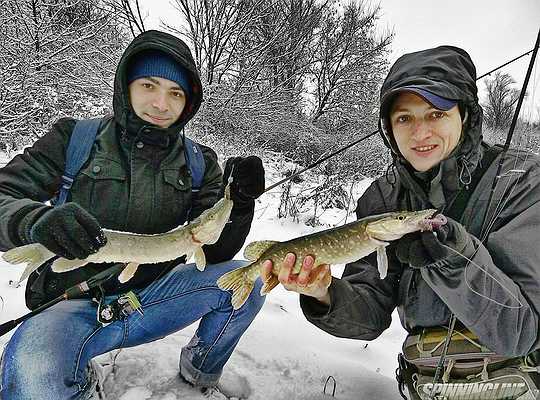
(248, 178)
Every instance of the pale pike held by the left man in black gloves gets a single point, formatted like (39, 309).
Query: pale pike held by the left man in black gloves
(134, 249)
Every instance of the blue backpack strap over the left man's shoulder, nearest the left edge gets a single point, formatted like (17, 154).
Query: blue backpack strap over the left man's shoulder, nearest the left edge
(78, 151)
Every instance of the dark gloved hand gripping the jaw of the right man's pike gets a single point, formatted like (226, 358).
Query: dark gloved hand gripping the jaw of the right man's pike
(448, 244)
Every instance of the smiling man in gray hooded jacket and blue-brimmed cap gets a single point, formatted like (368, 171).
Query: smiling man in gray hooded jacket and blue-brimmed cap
(483, 266)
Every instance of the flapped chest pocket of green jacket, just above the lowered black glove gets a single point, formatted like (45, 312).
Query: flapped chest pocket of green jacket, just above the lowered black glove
(102, 188)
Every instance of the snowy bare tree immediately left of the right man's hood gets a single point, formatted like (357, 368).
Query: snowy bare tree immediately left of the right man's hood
(351, 61)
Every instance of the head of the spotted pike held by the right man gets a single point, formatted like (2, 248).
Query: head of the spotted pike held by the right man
(393, 226)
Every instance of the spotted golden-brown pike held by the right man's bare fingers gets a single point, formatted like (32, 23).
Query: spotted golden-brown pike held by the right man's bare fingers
(343, 244)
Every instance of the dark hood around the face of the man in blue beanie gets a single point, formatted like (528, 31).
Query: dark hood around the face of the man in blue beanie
(123, 111)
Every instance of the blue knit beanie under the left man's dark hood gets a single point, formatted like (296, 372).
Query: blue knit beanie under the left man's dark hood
(161, 65)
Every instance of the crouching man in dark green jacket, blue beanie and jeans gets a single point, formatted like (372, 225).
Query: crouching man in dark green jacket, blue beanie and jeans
(136, 180)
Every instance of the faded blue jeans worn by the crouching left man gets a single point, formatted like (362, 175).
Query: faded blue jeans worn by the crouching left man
(47, 355)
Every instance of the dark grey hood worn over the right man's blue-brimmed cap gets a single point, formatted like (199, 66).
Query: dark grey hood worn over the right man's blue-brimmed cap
(449, 72)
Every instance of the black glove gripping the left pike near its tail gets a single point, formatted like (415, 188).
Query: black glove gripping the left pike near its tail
(68, 231)
